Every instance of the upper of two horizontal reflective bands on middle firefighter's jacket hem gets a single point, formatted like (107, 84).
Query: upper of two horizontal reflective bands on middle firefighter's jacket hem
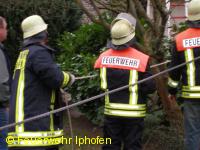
(126, 106)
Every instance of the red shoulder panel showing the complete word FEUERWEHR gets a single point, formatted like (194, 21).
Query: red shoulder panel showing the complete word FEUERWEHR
(129, 58)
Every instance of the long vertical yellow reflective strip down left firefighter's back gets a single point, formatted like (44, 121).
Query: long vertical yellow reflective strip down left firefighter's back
(19, 111)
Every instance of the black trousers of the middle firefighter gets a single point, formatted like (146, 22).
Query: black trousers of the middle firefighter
(124, 132)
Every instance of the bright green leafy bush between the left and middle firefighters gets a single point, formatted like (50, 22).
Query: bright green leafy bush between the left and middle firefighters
(79, 52)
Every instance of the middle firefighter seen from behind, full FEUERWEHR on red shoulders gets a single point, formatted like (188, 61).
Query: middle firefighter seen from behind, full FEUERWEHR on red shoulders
(121, 64)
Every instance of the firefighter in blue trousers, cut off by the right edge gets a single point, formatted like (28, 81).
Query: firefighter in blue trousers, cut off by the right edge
(185, 48)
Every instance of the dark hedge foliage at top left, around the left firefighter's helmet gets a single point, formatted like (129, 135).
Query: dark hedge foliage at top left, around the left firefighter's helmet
(60, 15)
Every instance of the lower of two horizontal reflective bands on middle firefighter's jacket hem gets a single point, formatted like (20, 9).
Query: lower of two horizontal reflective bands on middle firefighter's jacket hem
(125, 113)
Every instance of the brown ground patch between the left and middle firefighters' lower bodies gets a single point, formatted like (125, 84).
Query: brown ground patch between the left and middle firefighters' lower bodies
(83, 131)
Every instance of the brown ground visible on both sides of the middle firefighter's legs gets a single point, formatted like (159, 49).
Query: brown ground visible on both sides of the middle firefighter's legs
(157, 138)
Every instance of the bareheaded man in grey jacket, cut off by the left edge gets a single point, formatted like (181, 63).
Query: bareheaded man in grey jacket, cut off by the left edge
(5, 82)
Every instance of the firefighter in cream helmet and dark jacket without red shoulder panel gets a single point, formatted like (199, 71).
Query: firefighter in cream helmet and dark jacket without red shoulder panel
(36, 82)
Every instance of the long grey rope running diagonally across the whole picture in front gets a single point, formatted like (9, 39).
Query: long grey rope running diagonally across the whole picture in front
(95, 97)
